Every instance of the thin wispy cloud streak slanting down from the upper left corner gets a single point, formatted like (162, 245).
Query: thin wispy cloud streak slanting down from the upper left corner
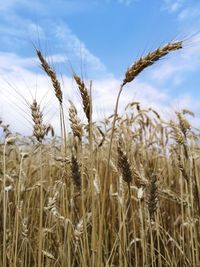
(17, 32)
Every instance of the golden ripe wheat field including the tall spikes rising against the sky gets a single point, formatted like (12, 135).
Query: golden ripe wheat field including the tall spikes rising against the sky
(121, 192)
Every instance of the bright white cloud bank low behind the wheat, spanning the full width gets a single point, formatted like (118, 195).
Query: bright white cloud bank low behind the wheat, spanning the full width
(23, 84)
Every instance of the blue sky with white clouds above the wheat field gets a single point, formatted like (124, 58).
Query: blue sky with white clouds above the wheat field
(98, 40)
